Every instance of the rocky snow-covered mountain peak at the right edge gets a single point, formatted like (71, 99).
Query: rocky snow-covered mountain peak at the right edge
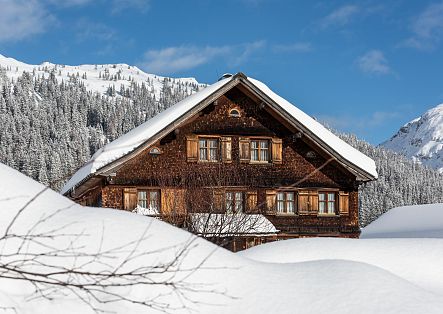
(421, 139)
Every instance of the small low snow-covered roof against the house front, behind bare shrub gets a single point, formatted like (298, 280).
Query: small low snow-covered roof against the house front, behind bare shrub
(209, 224)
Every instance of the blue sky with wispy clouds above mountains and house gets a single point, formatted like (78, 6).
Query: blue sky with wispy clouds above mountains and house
(365, 67)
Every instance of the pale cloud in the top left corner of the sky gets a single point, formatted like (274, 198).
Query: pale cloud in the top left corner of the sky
(20, 19)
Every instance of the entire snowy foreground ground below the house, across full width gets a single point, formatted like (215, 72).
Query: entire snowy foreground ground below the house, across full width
(306, 276)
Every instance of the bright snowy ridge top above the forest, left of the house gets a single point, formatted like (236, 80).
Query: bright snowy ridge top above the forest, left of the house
(98, 78)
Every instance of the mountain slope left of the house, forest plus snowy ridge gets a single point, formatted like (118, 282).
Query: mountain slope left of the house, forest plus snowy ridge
(54, 117)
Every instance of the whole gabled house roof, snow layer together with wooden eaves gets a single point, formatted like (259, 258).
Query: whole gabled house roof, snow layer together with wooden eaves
(131, 143)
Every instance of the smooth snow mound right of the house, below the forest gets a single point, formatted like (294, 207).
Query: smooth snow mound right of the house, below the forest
(417, 221)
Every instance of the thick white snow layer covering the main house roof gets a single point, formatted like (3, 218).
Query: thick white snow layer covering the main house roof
(135, 138)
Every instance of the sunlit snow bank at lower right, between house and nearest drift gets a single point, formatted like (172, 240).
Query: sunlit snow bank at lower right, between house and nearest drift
(417, 260)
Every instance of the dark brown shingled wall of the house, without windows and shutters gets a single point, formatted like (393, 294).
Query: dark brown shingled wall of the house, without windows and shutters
(171, 168)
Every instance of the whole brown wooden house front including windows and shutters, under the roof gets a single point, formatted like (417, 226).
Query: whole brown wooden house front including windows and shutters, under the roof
(235, 154)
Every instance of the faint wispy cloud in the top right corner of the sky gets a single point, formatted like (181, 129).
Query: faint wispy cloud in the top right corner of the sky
(427, 28)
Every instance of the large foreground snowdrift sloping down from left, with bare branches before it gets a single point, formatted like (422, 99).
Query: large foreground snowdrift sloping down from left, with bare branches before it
(242, 285)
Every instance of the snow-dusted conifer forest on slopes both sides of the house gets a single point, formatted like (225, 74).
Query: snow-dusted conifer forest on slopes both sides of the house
(49, 129)
